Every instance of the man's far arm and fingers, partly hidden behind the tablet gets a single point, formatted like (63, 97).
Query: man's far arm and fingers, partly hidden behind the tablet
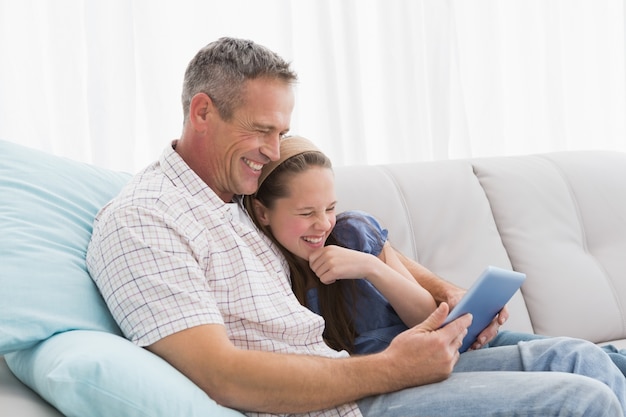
(444, 291)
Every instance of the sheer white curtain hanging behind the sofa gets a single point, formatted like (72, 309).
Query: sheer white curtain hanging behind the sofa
(381, 81)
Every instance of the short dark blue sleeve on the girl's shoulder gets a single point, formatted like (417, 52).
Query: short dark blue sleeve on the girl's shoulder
(360, 231)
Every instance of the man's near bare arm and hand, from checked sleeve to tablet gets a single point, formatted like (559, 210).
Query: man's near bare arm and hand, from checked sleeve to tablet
(286, 383)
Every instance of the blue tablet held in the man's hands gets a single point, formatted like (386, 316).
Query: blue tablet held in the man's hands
(493, 289)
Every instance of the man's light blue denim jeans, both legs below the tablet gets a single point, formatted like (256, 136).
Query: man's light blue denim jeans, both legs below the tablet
(545, 377)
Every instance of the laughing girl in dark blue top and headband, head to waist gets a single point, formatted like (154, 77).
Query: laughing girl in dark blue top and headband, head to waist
(341, 268)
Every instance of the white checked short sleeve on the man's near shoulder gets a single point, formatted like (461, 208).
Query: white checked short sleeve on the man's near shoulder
(149, 274)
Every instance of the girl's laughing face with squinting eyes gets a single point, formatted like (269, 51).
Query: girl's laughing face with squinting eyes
(302, 221)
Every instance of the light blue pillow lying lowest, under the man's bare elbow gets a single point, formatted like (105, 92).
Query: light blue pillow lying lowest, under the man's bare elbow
(96, 374)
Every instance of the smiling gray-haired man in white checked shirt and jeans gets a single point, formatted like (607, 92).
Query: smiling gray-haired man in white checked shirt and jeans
(186, 276)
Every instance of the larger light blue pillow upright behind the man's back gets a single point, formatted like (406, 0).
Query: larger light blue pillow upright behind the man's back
(47, 207)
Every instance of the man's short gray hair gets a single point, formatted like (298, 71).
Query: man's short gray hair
(221, 69)
